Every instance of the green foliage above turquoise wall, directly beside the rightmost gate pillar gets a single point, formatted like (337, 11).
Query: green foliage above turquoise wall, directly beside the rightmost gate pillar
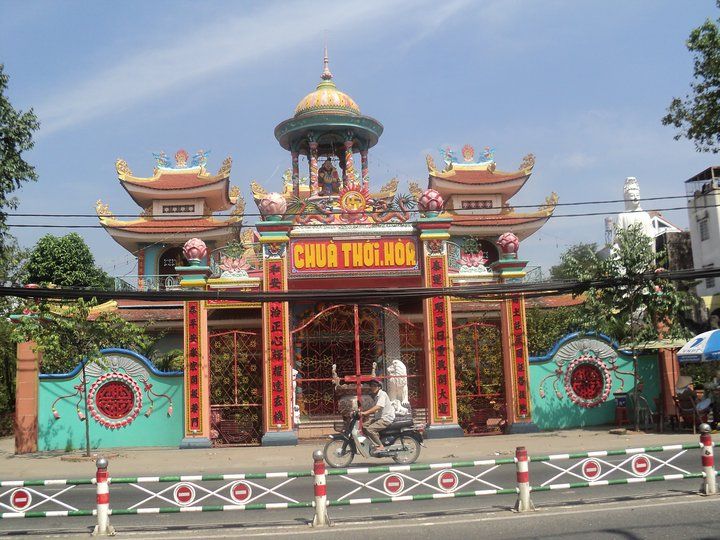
(545, 327)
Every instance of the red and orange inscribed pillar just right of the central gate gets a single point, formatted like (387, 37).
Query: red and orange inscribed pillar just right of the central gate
(439, 352)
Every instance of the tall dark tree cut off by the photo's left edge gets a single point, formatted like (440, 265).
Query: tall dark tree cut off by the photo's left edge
(16, 129)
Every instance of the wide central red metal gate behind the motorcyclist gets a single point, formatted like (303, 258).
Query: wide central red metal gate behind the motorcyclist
(359, 340)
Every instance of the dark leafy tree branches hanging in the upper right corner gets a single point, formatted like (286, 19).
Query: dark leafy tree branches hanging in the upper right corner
(698, 115)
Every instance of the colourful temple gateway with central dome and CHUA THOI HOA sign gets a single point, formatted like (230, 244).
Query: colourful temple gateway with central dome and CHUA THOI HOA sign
(271, 373)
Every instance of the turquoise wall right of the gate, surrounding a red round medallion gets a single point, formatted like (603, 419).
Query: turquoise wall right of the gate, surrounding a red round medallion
(552, 412)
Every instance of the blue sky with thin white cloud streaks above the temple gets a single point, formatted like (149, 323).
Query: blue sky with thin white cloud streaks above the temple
(580, 84)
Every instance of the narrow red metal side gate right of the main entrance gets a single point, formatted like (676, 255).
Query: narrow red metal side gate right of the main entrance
(480, 378)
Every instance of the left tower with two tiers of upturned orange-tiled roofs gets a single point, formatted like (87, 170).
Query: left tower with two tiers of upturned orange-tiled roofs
(178, 202)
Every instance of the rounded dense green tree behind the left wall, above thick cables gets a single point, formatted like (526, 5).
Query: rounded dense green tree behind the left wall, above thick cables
(66, 261)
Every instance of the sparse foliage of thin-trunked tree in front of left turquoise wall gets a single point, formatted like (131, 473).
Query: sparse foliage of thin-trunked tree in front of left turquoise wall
(66, 333)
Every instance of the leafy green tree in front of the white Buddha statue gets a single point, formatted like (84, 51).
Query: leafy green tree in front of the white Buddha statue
(637, 310)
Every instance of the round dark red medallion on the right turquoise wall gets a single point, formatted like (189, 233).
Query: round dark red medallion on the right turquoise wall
(588, 381)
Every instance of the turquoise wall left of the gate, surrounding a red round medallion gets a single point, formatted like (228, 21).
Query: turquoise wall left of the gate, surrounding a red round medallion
(68, 432)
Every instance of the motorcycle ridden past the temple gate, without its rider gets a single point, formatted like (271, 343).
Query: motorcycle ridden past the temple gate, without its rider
(401, 440)
